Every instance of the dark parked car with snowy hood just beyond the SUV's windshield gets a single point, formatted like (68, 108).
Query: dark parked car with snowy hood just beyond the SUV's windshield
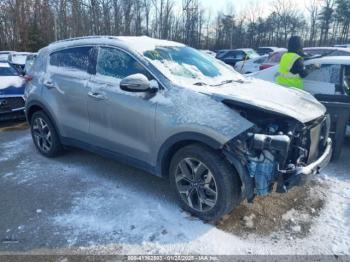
(231, 57)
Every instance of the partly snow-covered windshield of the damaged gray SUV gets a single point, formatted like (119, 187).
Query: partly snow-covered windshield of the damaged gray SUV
(185, 63)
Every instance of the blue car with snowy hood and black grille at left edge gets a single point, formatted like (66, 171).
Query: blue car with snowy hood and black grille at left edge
(11, 93)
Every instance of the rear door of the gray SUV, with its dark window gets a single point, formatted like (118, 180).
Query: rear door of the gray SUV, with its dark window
(65, 90)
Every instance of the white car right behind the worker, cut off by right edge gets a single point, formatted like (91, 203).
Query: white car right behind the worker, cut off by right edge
(333, 77)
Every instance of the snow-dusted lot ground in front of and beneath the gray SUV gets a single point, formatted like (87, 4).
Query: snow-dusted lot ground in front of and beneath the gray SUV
(82, 203)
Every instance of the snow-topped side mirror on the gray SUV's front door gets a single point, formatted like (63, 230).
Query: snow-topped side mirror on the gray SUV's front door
(135, 83)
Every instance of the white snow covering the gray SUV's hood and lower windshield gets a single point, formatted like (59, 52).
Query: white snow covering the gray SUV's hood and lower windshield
(294, 103)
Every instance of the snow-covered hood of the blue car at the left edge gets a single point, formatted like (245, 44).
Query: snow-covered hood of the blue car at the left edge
(11, 85)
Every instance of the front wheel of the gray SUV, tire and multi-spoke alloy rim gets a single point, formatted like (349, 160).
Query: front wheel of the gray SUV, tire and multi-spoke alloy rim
(205, 184)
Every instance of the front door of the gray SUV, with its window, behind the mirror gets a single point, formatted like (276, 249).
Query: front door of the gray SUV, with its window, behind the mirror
(120, 121)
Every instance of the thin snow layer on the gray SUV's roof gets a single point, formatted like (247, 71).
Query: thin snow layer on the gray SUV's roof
(136, 43)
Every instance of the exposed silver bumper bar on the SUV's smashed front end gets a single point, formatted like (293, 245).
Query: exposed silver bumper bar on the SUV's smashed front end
(301, 175)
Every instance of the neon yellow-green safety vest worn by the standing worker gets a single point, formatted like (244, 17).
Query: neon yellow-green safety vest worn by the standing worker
(285, 77)
